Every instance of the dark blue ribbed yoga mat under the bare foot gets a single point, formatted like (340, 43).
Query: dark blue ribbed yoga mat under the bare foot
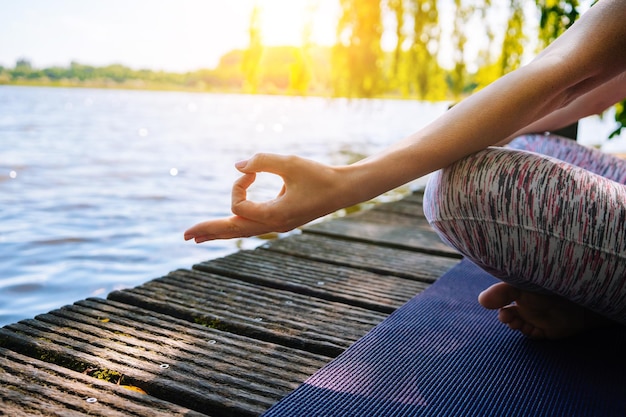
(442, 354)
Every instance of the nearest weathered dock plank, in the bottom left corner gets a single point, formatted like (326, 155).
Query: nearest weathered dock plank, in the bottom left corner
(30, 387)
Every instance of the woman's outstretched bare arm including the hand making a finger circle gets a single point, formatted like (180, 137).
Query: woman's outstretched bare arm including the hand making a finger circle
(588, 55)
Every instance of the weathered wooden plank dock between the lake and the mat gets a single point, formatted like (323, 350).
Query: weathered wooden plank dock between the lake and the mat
(229, 337)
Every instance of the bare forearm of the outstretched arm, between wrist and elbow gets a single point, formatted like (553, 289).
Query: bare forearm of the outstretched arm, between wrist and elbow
(501, 109)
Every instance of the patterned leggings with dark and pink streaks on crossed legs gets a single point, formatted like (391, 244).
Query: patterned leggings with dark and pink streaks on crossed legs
(544, 214)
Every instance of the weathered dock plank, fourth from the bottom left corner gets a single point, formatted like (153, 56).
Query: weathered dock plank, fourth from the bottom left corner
(351, 286)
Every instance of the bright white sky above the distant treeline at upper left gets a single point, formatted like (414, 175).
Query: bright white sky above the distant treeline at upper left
(177, 36)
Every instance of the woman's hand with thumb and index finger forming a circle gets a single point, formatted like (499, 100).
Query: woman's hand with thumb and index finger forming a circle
(310, 190)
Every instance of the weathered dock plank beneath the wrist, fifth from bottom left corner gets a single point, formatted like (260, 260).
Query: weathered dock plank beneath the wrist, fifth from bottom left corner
(408, 264)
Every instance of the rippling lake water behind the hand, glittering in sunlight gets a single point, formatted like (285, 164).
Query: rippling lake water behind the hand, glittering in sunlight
(97, 186)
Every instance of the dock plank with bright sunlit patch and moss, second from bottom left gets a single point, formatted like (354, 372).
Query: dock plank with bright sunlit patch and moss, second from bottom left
(195, 366)
